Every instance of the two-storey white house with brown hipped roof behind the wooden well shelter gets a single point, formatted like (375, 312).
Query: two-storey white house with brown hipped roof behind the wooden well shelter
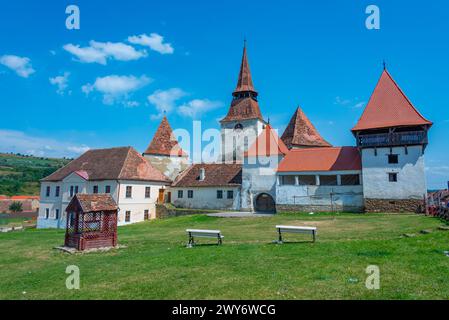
(123, 173)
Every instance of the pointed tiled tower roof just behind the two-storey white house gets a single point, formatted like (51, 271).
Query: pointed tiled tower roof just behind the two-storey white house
(164, 142)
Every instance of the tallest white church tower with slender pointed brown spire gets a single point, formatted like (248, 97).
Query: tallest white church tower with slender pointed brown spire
(244, 122)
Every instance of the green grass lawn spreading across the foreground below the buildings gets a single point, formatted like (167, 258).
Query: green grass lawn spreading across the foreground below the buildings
(157, 265)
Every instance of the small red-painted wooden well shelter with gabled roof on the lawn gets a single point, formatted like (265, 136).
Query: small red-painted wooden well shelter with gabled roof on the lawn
(91, 222)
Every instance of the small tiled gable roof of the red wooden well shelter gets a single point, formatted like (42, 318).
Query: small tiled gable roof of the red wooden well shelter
(93, 202)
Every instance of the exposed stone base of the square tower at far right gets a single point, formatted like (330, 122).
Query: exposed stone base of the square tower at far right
(394, 205)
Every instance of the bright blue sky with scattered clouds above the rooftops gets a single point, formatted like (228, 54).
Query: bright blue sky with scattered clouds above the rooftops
(108, 80)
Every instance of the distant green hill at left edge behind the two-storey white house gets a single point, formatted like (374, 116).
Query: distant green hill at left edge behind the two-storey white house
(20, 174)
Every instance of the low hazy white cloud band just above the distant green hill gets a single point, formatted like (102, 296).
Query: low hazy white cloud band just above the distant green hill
(20, 142)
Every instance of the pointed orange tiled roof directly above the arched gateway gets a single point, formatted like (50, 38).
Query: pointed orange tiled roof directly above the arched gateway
(267, 144)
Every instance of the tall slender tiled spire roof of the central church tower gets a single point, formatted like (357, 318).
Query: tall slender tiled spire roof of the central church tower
(244, 105)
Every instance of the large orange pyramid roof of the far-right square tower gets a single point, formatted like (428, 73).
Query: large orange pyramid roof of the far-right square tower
(389, 107)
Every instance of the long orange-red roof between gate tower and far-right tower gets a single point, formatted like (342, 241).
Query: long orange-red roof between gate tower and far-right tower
(321, 159)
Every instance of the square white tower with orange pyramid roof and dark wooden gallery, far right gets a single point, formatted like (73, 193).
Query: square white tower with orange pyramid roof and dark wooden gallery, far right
(392, 137)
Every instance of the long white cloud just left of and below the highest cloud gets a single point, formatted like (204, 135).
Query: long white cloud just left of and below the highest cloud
(100, 52)
